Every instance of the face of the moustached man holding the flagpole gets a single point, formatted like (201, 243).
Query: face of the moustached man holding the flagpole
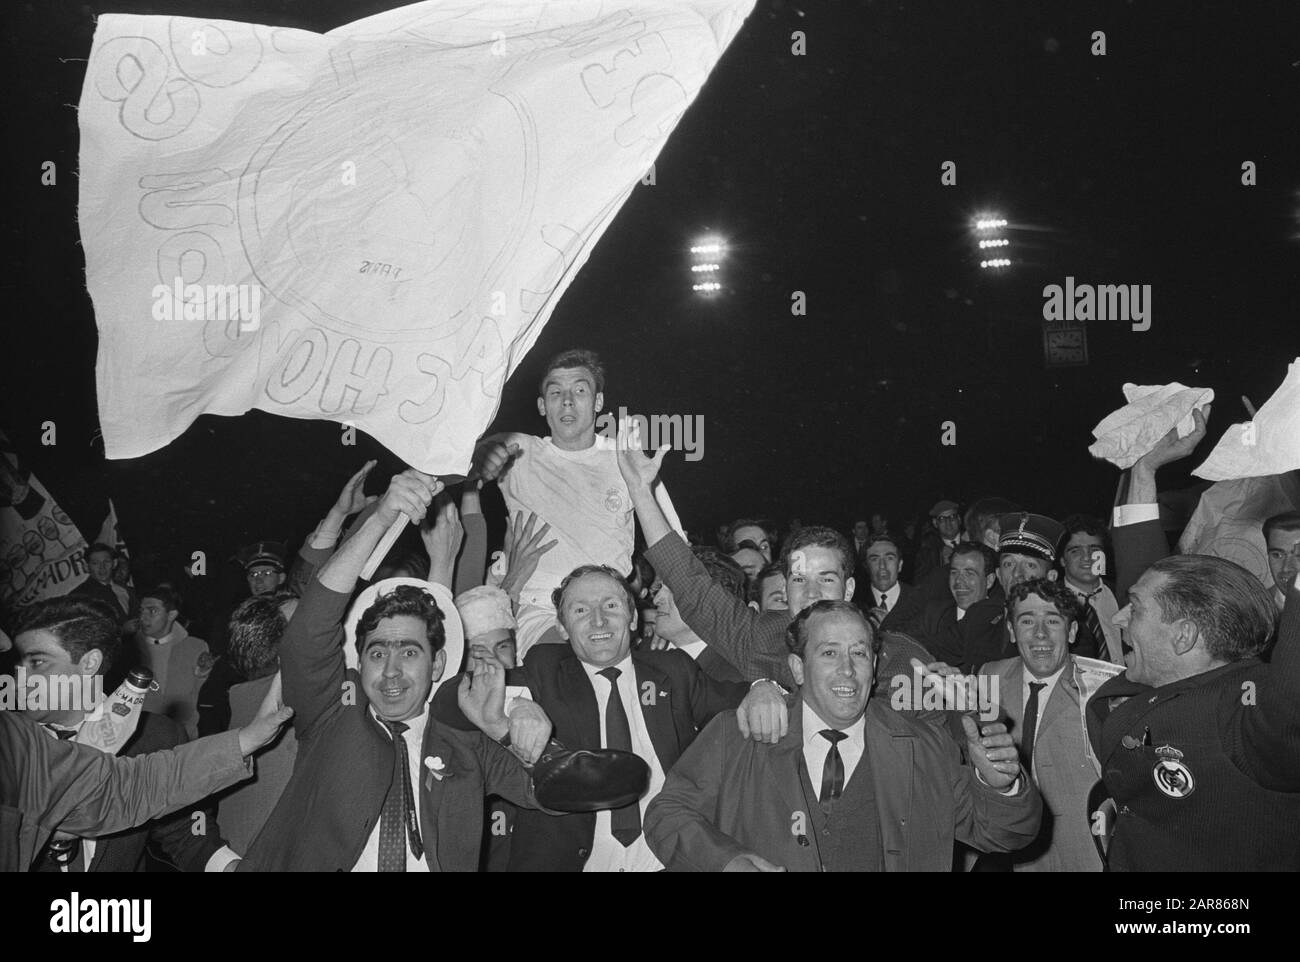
(398, 668)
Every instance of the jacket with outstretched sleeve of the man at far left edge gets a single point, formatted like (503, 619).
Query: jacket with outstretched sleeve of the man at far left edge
(49, 785)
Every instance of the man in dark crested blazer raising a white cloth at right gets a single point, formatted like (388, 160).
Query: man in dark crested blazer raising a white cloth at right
(1198, 739)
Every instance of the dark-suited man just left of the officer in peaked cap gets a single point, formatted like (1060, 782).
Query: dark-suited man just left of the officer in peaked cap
(965, 630)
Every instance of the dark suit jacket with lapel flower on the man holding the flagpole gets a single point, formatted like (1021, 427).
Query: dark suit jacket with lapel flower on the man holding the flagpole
(345, 764)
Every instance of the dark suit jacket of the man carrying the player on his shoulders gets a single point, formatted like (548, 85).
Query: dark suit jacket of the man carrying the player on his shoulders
(677, 700)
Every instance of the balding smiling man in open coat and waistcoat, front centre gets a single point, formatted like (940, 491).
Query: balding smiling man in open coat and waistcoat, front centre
(876, 792)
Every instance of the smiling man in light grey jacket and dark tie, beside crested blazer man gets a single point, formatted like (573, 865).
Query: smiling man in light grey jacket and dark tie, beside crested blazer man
(1041, 692)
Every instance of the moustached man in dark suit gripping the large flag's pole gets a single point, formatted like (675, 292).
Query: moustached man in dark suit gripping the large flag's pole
(367, 796)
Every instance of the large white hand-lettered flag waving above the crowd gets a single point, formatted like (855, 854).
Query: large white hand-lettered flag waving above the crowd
(370, 226)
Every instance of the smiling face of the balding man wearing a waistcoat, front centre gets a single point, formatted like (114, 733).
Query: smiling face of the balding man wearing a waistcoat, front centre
(837, 671)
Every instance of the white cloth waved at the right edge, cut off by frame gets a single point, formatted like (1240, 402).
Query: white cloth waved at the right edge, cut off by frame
(1269, 445)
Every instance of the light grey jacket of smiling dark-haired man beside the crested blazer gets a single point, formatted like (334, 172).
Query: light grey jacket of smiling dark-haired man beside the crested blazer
(1061, 770)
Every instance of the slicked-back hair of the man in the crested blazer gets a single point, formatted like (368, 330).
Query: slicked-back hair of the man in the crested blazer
(1225, 601)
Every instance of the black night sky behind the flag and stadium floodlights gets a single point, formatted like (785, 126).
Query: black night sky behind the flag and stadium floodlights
(824, 172)
